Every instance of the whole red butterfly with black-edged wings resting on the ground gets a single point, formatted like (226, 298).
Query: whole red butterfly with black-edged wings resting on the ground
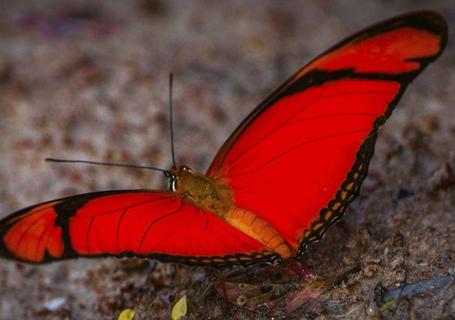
(279, 181)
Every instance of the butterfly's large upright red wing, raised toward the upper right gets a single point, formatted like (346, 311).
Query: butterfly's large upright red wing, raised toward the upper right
(299, 158)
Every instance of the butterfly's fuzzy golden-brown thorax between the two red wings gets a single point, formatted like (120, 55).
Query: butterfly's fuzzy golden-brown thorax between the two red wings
(203, 191)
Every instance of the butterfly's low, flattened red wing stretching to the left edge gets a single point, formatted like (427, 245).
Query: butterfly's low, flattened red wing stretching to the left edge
(138, 223)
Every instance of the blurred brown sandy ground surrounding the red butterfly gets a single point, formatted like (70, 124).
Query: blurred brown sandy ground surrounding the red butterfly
(90, 81)
